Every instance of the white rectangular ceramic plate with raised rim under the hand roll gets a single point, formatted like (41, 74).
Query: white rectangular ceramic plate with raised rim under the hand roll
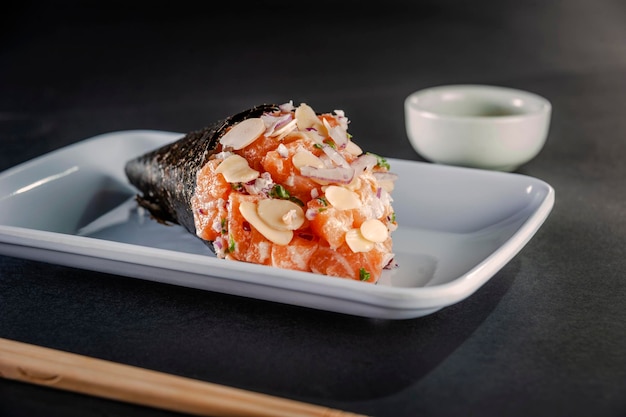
(457, 228)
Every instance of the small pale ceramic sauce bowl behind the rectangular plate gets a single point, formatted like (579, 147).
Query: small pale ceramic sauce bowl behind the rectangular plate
(477, 126)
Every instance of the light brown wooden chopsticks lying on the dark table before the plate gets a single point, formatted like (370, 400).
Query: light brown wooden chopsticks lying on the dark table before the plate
(86, 375)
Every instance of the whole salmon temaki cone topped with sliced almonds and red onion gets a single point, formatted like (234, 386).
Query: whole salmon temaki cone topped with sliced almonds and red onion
(276, 185)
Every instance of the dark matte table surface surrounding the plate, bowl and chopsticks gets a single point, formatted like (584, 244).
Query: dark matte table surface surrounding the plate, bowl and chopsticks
(546, 336)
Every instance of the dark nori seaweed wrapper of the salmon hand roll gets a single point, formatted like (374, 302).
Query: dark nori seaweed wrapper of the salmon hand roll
(166, 177)
